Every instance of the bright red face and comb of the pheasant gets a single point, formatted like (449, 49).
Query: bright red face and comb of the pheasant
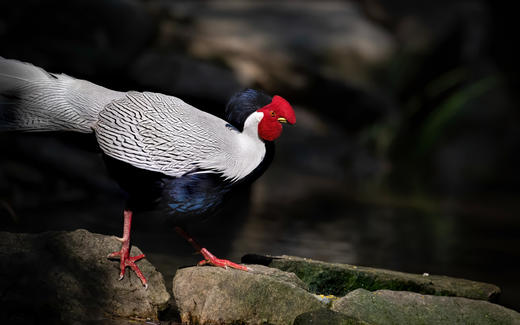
(278, 110)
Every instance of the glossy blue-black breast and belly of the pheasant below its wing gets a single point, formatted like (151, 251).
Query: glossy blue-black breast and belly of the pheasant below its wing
(180, 200)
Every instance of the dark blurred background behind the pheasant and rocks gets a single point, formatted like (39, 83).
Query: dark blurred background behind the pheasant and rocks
(404, 155)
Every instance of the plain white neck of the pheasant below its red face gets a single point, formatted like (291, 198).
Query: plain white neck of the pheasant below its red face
(242, 151)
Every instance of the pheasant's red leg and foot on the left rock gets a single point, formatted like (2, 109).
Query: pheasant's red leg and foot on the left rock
(124, 253)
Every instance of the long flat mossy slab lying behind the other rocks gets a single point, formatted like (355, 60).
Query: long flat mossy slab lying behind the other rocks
(339, 279)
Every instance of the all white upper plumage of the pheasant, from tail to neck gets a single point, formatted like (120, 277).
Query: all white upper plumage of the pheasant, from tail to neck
(150, 131)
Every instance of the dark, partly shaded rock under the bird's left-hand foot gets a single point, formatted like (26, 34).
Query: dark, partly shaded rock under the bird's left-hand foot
(65, 277)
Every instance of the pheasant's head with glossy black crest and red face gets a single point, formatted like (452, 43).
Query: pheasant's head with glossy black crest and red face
(274, 111)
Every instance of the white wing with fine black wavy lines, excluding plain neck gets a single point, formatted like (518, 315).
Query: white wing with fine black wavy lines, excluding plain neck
(161, 133)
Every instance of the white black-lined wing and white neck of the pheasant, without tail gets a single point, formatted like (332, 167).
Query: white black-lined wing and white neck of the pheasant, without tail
(164, 134)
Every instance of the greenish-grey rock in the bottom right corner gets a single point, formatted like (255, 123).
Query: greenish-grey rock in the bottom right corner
(401, 307)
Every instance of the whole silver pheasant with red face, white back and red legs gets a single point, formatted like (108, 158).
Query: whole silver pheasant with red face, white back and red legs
(164, 153)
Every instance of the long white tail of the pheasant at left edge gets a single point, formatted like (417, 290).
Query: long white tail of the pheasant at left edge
(32, 99)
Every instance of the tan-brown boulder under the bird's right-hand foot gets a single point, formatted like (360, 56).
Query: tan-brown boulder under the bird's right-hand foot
(210, 295)
